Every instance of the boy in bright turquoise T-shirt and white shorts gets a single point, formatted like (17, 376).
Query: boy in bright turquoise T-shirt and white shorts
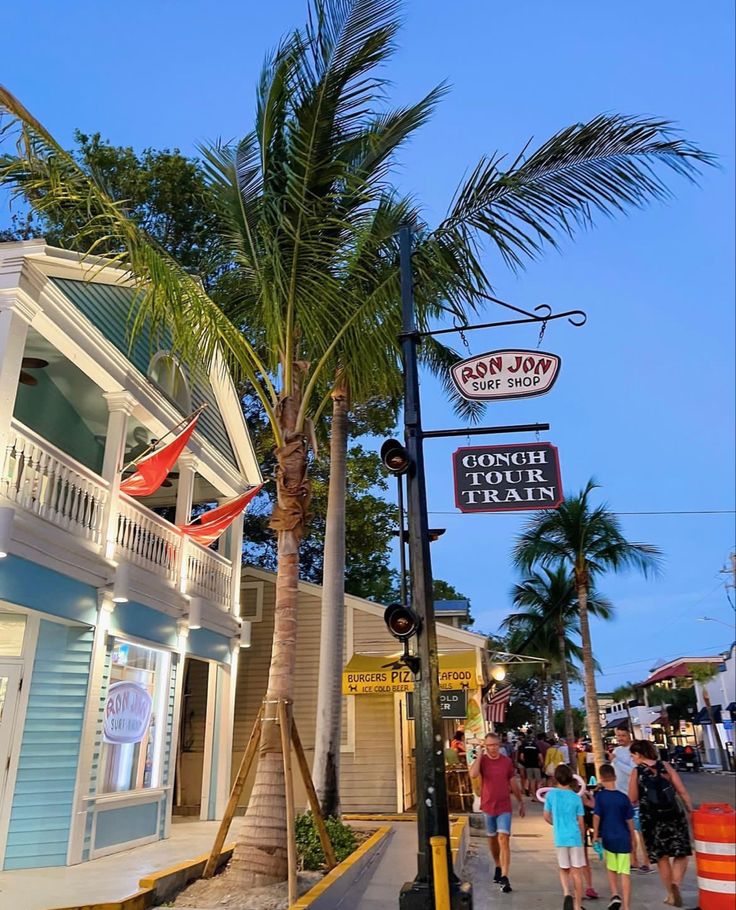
(563, 809)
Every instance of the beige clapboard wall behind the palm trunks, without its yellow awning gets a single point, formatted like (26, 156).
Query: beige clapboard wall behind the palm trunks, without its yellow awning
(368, 763)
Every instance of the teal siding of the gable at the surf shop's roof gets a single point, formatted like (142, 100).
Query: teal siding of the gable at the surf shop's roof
(108, 308)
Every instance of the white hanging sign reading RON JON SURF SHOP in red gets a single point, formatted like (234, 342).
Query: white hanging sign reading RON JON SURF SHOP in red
(506, 374)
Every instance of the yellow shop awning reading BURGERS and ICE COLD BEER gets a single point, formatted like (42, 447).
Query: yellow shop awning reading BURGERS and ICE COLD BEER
(375, 674)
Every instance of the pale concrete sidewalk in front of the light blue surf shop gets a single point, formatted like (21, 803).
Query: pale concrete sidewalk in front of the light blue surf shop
(105, 879)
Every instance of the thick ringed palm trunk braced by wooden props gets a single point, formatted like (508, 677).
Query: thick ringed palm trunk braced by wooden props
(260, 857)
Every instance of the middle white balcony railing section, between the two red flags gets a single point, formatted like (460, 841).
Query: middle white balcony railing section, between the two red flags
(147, 540)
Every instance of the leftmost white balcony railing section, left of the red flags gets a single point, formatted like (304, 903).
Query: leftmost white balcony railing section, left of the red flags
(43, 480)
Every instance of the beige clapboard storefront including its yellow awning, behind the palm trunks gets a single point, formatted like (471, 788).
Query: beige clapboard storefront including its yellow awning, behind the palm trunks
(377, 765)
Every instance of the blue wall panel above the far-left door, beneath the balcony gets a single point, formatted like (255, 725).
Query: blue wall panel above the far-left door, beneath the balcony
(30, 585)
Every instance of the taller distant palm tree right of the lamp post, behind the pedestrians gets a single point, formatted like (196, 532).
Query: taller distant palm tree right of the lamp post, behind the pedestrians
(587, 540)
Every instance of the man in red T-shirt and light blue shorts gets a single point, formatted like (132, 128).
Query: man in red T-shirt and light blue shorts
(498, 781)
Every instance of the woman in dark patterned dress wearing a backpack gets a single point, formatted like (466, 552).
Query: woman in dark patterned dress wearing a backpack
(655, 786)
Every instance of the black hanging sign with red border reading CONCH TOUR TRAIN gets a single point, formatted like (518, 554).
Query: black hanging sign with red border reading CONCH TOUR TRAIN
(507, 478)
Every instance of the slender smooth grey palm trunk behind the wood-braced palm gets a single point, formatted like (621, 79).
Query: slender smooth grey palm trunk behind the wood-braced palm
(326, 770)
